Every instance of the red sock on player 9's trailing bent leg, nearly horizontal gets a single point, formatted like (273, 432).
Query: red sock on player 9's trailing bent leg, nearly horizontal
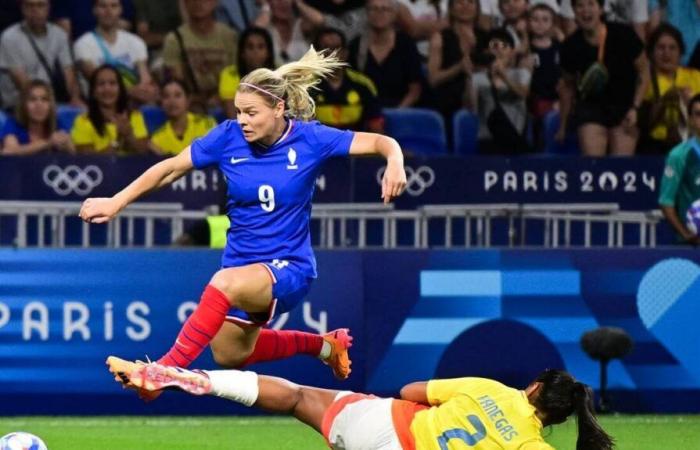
(278, 344)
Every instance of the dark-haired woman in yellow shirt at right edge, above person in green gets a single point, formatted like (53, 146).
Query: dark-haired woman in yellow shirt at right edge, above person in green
(663, 115)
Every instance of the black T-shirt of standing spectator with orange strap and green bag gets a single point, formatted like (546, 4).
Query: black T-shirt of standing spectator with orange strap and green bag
(622, 48)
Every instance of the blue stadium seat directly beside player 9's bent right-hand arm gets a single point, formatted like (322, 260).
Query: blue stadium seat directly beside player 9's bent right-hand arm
(417, 130)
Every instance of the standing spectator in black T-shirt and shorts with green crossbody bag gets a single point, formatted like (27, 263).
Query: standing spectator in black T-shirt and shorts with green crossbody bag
(604, 69)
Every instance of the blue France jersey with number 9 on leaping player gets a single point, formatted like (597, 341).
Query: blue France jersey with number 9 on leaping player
(270, 190)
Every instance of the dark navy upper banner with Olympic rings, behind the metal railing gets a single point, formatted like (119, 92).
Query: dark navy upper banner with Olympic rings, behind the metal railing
(631, 182)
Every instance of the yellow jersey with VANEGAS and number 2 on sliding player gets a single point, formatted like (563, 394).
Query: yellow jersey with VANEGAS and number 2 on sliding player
(476, 414)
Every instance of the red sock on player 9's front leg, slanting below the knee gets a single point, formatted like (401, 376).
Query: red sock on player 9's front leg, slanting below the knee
(199, 329)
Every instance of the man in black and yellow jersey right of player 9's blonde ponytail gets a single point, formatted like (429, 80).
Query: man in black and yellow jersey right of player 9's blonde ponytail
(347, 98)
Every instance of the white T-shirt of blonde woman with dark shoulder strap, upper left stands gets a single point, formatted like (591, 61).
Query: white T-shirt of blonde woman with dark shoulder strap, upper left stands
(128, 49)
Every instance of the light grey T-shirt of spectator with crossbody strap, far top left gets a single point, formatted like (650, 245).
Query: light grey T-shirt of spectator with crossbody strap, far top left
(16, 52)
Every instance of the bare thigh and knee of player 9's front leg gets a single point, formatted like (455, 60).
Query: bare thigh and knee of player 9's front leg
(247, 287)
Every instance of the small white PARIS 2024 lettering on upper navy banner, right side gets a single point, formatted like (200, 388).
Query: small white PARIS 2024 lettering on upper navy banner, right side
(559, 181)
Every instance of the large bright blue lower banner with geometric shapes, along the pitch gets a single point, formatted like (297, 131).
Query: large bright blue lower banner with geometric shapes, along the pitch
(415, 315)
